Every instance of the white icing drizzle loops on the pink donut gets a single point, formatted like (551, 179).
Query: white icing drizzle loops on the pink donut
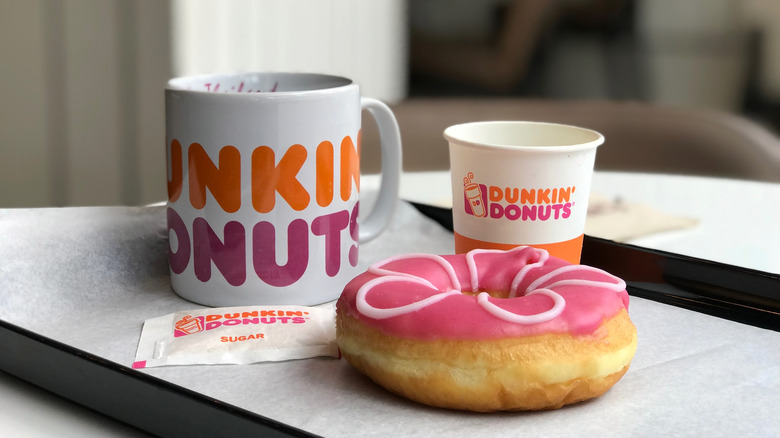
(538, 286)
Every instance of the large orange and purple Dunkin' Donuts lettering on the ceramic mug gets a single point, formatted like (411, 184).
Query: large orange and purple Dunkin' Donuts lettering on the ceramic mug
(273, 173)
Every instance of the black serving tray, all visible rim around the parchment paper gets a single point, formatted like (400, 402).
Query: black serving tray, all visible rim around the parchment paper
(165, 409)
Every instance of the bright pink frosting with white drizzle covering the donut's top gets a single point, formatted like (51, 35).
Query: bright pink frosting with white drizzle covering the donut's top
(421, 295)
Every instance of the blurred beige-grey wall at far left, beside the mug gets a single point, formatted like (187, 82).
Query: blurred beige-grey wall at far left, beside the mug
(81, 109)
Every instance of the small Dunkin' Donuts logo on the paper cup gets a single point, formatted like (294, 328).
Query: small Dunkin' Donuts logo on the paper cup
(517, 203)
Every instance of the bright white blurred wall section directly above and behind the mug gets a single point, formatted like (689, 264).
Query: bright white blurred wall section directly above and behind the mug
(364, 40)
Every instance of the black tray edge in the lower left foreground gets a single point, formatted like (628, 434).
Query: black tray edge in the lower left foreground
(142, 401)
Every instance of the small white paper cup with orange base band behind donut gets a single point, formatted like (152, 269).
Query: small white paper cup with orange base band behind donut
(521, 183)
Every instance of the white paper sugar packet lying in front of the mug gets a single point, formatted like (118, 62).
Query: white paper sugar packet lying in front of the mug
(237, 335)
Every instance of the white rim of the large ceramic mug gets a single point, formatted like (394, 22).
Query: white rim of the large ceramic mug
(180, 84)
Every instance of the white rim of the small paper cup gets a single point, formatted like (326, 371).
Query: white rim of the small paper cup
(455, 135)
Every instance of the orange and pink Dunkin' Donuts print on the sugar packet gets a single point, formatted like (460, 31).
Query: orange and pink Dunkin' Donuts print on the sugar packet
(189, 325)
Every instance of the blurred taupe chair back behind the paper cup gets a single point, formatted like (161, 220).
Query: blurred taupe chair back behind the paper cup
(639, 137)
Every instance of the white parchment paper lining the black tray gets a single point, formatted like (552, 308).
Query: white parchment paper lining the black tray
(89, 277)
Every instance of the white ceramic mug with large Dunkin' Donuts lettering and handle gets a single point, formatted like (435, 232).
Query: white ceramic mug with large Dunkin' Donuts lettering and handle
(263, 182)
